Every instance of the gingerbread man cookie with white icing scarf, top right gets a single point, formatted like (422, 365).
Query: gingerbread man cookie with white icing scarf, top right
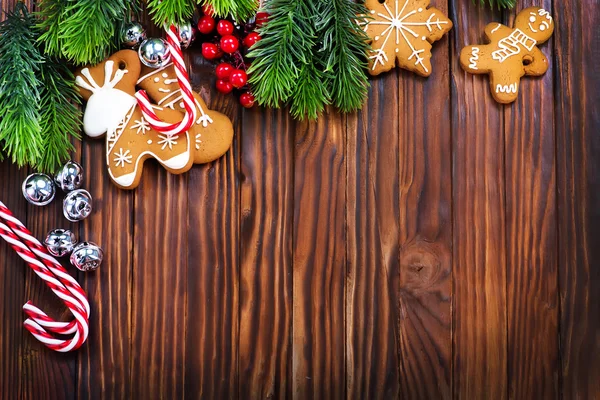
(511, 53)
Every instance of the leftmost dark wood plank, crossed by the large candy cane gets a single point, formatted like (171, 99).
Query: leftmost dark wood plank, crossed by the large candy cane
(12, 288)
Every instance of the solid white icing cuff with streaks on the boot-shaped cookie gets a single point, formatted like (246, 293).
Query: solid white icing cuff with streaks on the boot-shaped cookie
(107, 106)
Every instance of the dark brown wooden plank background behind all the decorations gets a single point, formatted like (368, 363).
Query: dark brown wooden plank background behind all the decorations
(435, 245)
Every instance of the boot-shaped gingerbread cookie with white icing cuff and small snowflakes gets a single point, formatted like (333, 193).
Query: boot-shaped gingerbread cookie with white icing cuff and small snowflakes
(112, 109)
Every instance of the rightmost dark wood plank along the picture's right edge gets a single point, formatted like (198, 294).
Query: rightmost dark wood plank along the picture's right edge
(577, 95)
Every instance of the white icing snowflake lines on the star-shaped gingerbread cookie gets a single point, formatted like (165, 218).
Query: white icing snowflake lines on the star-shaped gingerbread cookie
(395, 22)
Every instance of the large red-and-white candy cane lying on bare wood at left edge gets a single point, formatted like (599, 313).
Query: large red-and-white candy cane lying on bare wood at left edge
(55, 277)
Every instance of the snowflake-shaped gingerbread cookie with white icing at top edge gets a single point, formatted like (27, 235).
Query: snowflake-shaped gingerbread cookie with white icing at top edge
(401, 31)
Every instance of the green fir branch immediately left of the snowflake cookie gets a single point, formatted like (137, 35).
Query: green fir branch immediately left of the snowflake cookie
(343, 52)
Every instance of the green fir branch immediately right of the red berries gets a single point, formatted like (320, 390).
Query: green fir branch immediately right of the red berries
(286, 45)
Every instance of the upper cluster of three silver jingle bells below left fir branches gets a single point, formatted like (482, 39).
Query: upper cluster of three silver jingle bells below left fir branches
(40, 189)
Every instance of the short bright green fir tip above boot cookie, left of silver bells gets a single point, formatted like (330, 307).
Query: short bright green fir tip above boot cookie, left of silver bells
(88, 28)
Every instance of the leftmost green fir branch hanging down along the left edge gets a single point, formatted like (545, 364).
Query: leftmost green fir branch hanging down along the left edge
(20, 60)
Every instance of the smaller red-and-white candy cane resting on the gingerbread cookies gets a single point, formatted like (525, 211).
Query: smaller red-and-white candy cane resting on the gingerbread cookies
(186, 90)
